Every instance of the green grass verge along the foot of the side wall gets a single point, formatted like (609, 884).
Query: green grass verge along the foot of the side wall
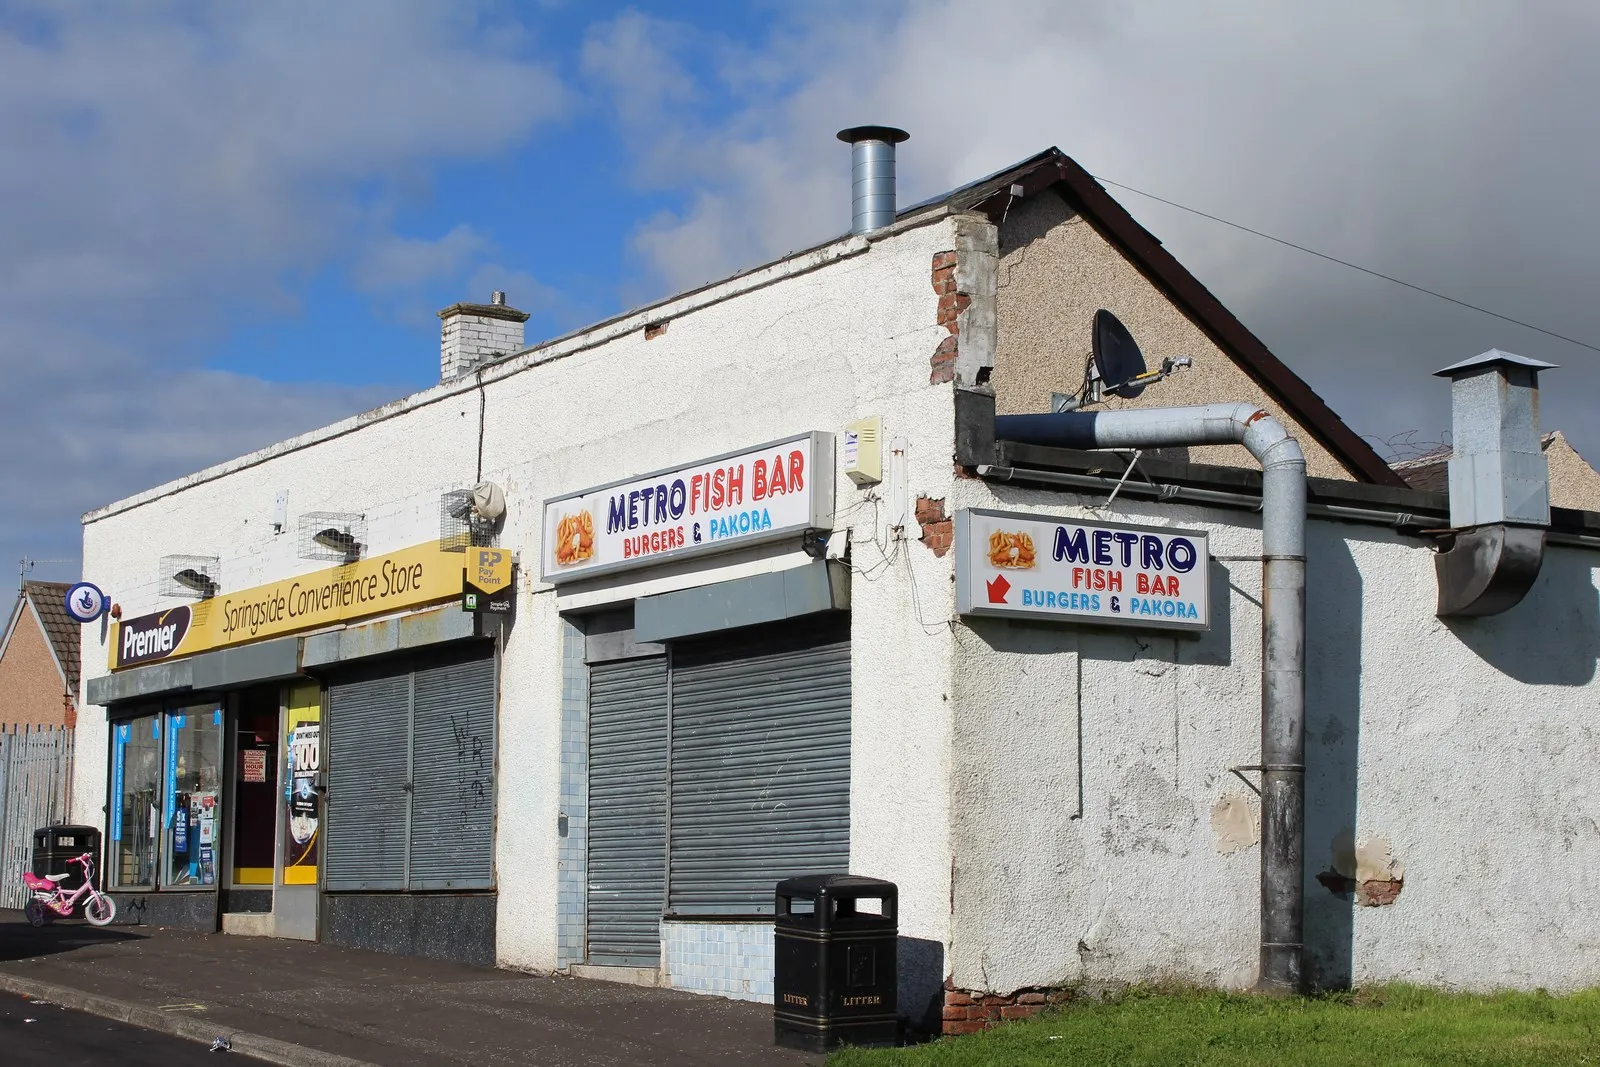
(1382, 1026)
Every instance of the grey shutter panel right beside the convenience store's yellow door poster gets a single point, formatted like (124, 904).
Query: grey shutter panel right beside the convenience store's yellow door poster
(369, 738)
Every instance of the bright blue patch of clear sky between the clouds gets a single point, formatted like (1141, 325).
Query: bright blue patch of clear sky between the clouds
(558, 209)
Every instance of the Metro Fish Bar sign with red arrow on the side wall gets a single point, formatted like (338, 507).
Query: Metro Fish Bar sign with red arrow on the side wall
(1070, 570)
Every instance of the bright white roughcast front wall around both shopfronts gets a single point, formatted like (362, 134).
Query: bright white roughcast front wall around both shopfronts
(807, 345)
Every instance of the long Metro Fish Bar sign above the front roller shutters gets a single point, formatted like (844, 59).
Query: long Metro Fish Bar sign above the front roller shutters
(718, 505)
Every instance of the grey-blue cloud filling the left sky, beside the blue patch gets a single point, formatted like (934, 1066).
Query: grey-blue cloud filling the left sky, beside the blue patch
(166, 167)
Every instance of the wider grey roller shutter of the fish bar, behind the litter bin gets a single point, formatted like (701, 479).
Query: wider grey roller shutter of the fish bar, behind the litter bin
(761, 764)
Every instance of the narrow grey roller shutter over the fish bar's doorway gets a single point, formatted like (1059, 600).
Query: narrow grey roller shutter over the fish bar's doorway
(628, 805)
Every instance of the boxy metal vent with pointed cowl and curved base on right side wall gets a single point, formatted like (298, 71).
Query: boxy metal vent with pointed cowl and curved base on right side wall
(1500, 486)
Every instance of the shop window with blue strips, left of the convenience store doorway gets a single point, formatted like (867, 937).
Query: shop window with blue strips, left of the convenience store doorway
(167, 788)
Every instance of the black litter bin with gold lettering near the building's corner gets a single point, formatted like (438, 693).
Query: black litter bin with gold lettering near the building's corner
(836, 965)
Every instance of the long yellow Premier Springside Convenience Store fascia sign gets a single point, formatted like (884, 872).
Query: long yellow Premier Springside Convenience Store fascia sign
(308, 602)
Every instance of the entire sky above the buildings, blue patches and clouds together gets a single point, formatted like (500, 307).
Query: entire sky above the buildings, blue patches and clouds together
(226, 225)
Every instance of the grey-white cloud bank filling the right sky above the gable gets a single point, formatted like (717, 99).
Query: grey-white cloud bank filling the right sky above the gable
(1450, 145)
